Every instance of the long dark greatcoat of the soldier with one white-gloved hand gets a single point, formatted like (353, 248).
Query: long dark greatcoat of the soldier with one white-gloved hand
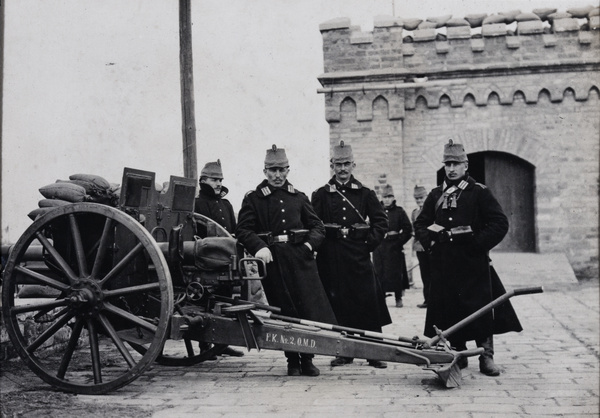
(292, 281)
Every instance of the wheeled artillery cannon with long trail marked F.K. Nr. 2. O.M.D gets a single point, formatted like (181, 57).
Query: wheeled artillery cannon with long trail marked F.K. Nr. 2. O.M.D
(128, 280)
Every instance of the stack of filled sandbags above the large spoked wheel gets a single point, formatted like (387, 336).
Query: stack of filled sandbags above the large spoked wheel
(79, 188)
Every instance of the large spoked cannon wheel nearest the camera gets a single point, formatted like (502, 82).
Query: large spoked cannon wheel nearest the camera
(111, 287)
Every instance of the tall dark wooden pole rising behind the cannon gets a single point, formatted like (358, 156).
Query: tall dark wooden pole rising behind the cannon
(190, 161)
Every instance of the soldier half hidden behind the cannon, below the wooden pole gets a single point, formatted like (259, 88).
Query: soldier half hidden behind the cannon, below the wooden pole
(211, 203)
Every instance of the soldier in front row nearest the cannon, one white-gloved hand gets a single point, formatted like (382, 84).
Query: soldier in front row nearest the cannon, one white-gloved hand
(278, 224)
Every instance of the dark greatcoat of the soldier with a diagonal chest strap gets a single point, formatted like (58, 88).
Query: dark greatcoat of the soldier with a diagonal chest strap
(344, 263)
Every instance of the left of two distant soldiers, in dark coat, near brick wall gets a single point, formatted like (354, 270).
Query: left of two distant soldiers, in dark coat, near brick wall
(388, 257)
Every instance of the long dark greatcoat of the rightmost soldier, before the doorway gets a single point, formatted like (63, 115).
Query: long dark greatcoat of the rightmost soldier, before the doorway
(462, 279)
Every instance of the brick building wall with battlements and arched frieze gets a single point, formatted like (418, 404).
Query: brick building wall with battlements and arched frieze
(532, 92)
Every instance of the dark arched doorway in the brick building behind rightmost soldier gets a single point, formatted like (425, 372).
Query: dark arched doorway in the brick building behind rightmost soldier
(512, 180)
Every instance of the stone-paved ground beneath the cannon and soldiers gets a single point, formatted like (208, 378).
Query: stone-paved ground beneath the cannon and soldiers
(549, 369)
